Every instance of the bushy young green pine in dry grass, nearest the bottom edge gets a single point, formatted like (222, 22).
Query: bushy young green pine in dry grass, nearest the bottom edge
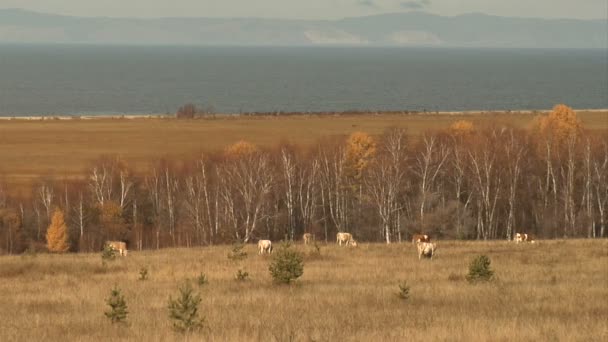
(184, 310)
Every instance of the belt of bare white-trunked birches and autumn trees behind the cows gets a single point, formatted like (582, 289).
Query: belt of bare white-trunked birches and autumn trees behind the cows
(464, 182)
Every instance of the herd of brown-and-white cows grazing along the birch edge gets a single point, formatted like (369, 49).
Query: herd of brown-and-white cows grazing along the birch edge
(425, 247)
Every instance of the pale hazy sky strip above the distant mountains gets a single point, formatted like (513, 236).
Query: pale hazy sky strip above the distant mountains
(313, 9)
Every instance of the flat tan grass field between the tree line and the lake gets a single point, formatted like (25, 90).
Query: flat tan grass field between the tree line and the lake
(63, 148)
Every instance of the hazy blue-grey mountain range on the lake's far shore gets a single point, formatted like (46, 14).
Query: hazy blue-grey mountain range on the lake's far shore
(398, 29)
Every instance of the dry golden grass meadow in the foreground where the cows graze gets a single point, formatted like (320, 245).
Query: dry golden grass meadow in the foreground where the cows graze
(552, 291)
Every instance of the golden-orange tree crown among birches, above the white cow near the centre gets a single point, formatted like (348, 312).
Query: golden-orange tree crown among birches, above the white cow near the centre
(360, 150)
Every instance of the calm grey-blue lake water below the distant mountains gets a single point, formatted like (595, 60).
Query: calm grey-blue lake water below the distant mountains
(81, 79)
